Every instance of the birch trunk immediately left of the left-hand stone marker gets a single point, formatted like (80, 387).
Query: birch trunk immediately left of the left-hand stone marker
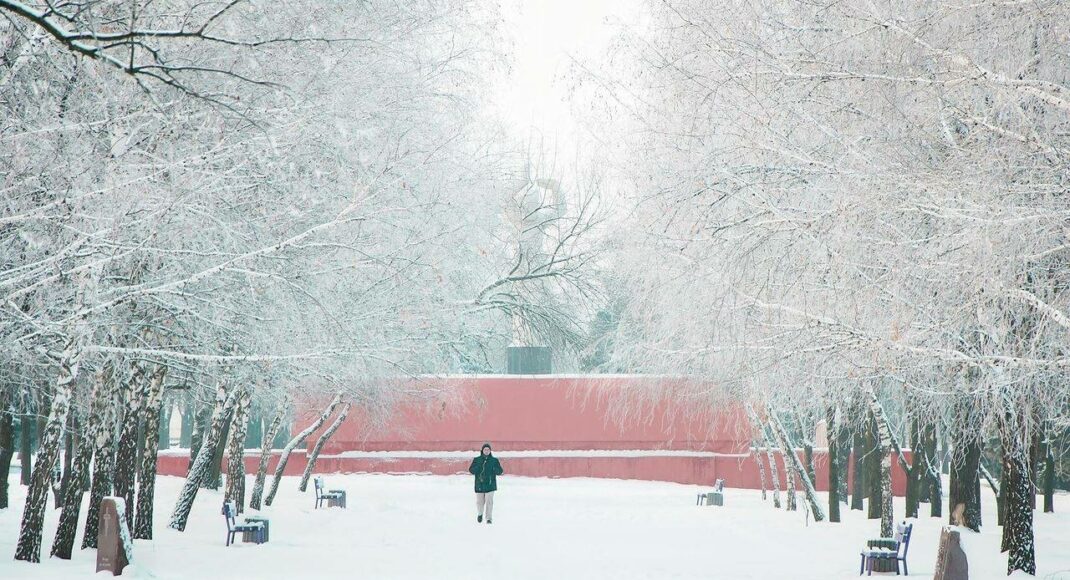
(104, 453)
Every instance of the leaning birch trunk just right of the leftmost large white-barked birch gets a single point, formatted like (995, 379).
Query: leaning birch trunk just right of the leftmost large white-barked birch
(64, 543)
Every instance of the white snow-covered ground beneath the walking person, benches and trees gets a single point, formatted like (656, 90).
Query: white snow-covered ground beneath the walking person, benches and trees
(424, 527)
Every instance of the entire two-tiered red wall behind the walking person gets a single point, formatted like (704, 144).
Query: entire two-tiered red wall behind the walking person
(543, 414)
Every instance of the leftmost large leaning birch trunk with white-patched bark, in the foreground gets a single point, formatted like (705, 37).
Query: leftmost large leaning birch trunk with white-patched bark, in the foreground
(37, 499)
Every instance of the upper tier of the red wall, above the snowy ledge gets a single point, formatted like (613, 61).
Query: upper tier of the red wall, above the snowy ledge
(533, 413)
